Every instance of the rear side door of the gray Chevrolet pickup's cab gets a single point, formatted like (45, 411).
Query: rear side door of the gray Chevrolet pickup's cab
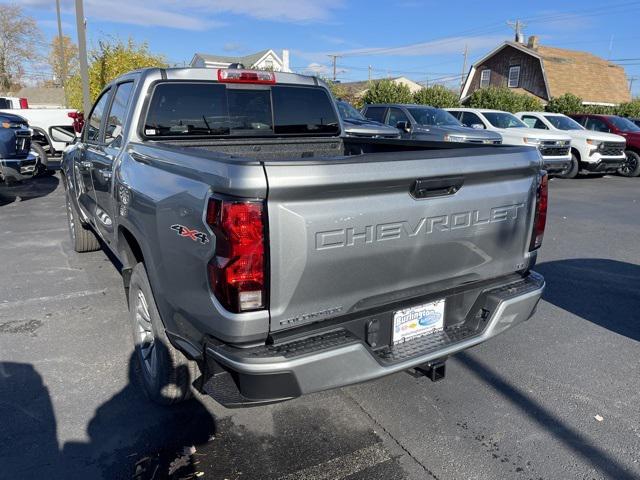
(103, 156)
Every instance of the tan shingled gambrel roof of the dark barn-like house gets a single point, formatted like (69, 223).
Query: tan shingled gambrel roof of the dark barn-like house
(588, 76)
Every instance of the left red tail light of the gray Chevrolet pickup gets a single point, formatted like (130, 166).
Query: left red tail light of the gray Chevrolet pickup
(237, 272)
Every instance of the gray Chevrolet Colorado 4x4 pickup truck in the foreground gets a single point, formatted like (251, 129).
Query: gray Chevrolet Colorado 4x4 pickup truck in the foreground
(265, 255)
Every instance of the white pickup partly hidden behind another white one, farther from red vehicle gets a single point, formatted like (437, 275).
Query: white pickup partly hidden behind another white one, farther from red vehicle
(555, 148)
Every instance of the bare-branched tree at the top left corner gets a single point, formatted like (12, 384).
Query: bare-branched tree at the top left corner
(20, 41)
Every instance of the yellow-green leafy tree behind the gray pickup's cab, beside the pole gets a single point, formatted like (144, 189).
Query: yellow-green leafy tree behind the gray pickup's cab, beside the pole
(108, 61)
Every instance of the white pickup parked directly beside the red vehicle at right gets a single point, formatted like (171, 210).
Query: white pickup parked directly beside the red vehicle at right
(591, 152)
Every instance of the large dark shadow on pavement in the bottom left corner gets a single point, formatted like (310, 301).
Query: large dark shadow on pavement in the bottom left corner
(121, 433)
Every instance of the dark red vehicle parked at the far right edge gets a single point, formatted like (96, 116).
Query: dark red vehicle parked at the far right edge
(620, 126)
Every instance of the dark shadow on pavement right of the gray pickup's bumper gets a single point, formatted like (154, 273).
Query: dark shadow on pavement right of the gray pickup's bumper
(605, 292)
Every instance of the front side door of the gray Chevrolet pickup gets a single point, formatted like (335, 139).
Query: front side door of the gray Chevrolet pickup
(91, 139)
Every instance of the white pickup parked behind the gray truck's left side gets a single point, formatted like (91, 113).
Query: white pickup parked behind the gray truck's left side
(41, 121)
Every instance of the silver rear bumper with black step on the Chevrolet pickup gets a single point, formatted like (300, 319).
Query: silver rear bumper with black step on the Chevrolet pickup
(338, 358)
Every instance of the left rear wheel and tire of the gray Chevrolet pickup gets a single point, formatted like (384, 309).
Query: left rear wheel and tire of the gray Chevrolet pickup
(165, 373)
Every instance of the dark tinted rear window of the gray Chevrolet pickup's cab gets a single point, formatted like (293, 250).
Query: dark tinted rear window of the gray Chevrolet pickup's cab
(210, 109)
